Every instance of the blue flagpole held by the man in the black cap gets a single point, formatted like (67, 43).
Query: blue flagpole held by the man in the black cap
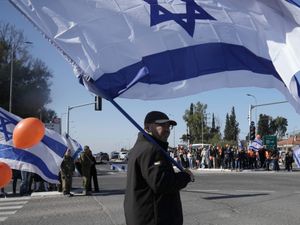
(146, 135)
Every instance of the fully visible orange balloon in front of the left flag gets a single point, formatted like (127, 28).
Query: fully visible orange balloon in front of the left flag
(28, 133)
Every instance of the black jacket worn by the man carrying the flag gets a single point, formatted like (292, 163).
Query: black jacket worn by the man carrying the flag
(152, 194)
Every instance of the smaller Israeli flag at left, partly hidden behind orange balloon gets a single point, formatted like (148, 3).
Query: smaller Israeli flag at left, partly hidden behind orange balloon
(43, 159)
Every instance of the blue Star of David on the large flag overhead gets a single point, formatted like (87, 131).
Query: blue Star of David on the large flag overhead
(193, 12)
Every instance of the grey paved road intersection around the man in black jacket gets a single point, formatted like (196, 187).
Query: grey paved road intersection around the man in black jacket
(216, 198)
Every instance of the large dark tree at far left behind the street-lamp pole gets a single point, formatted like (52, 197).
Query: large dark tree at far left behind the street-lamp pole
(31, 77)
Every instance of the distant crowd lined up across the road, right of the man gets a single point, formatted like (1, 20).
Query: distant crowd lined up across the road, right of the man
(231, 157)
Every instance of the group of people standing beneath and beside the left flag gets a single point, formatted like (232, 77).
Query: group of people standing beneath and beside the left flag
(31, 182)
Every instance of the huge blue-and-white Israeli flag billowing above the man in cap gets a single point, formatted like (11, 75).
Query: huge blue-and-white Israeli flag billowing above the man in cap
(156, 49)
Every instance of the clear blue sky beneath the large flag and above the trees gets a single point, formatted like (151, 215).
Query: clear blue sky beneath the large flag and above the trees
(109, 130)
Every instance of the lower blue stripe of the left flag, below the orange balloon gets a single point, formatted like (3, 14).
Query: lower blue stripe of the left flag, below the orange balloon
(26, 156)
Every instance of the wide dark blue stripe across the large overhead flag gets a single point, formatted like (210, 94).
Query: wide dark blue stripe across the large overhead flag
(185, 63)
